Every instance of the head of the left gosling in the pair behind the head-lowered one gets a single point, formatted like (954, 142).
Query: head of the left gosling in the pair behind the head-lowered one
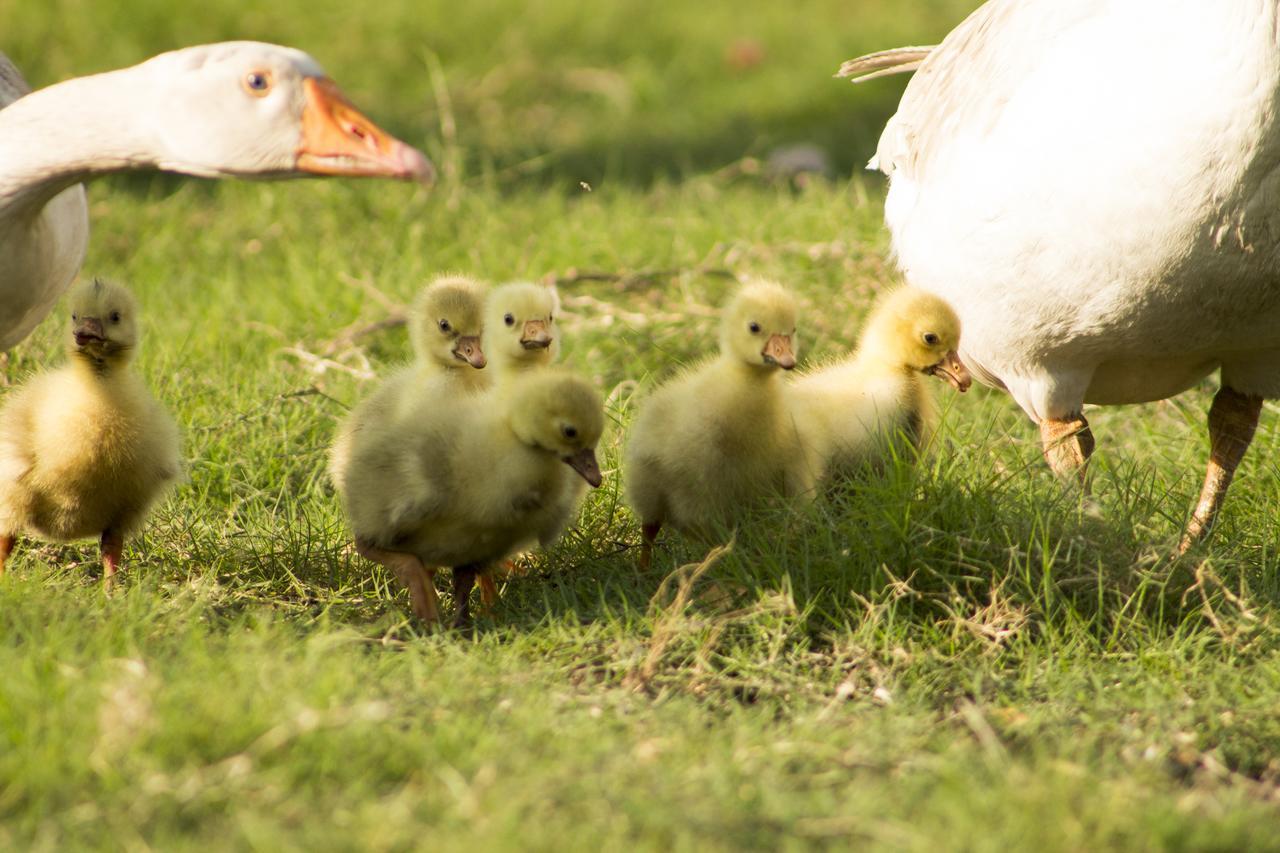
(446, 323)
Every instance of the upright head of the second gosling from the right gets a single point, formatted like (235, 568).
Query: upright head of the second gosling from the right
(760, 327)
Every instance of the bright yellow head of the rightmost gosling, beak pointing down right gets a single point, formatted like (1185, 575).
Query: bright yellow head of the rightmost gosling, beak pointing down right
(920, 332)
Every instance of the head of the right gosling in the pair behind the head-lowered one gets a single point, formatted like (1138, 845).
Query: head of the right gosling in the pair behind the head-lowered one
(520, 325)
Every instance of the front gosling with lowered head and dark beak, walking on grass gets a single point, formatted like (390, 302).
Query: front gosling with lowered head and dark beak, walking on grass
(492, 476)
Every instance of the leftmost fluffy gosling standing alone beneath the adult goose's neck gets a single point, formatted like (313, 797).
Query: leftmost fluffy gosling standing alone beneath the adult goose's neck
(86, 450)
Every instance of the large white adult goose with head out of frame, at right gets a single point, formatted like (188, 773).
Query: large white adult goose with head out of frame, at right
(1092, 185)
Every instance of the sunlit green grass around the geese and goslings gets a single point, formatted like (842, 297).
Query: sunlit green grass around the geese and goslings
(952, 655)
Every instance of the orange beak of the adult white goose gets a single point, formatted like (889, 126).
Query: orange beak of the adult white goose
(337, 139)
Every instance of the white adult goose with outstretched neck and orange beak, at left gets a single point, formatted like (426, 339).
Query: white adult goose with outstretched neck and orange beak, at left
(234, 110)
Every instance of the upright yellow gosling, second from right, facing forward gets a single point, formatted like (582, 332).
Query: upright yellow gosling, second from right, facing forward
(720, 436)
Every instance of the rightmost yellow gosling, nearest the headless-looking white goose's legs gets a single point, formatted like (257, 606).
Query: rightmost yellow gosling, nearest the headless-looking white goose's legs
(849, 412)
